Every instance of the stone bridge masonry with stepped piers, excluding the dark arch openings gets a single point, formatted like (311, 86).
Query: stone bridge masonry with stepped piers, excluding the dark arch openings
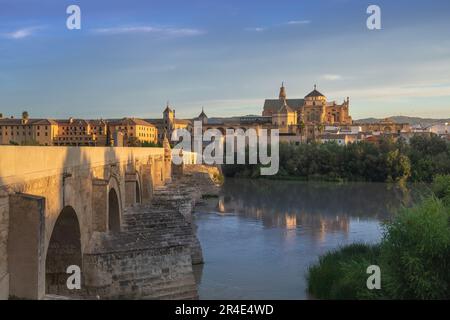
(151, 256)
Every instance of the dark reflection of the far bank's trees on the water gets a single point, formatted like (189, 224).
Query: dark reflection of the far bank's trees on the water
(374, 200)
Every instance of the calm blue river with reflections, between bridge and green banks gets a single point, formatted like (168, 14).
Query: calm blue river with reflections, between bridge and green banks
(260, 236)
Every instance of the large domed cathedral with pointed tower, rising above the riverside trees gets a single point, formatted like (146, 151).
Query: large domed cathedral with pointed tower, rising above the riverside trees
(312, 109)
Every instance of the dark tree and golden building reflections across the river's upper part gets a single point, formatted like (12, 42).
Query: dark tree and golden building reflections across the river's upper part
(315, 209)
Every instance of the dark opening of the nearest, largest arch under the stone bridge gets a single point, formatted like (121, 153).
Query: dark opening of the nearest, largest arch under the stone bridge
(64, 250)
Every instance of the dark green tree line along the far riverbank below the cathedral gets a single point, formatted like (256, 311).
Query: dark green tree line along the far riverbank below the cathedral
(389, 161)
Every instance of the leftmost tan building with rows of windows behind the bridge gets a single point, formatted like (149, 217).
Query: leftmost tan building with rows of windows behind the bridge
(26, 131)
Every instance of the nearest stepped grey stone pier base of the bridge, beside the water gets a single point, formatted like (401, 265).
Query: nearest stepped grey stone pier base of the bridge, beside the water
(149, 259)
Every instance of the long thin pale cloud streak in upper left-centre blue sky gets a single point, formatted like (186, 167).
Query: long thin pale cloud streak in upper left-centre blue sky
(178, 32)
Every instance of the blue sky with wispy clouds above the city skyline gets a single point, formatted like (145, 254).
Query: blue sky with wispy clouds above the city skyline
(130, 57)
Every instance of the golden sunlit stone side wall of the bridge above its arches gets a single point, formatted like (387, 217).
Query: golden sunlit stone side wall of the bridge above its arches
(66, 177)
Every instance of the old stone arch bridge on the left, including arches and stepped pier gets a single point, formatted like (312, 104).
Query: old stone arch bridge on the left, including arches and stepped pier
(95, 208)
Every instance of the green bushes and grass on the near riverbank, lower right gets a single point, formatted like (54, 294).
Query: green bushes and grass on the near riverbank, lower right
(414, 256)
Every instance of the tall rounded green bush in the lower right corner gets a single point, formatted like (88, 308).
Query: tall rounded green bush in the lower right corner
(415, 252)
